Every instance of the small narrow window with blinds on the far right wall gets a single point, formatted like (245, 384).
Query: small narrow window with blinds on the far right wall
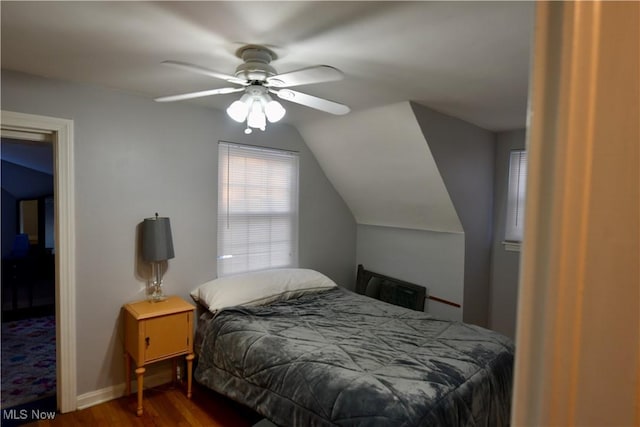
(515, 199)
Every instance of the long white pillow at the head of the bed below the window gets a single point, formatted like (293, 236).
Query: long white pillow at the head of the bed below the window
(260, 287)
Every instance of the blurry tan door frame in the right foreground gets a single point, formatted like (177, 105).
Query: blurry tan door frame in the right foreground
(578, 336)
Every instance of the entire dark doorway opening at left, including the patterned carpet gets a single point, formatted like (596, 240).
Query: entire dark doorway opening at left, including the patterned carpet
(28, 271)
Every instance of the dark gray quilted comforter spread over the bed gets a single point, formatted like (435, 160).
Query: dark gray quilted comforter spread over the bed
(338, 358)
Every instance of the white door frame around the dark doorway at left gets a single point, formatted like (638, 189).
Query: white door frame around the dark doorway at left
(61, 131)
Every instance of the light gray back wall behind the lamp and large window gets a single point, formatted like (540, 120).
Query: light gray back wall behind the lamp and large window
(134, 157)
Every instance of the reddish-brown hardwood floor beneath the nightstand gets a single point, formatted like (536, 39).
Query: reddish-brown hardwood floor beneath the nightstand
(165, 405)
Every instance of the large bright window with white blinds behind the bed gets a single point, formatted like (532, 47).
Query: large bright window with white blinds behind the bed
(257, 208)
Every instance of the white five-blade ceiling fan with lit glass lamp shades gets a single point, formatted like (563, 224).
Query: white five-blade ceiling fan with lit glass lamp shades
(257, 79)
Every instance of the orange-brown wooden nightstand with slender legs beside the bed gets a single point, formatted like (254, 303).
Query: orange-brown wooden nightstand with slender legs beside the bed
(155, 331)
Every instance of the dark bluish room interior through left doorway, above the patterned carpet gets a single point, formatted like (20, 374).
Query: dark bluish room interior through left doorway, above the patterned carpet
(28, 238)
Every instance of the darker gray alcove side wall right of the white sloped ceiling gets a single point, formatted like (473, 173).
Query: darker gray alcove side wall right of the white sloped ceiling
(464, 154)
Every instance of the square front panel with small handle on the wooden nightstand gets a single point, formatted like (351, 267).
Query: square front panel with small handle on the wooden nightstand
(167, 336)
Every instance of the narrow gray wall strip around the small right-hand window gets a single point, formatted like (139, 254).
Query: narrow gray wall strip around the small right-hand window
(504, 264)
